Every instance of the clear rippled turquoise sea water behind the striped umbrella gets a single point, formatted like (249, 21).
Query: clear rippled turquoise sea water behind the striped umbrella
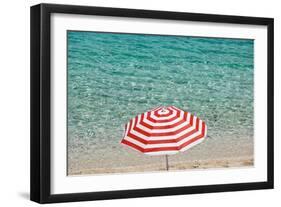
(113, 77)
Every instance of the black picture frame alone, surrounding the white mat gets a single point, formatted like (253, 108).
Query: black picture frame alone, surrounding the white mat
(40, 184)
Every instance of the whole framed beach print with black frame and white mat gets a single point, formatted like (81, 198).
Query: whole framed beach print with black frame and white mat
(133, 103)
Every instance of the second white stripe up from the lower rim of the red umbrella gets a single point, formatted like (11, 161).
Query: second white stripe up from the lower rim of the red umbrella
(164, 137)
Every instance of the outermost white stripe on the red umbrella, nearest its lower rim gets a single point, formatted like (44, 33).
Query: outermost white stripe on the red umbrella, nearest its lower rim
(176, 144)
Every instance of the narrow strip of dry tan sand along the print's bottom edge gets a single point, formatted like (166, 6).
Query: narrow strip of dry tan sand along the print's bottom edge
(174, 166)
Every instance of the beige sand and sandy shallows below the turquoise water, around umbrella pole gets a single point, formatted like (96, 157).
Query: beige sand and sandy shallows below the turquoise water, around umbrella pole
(212, 153)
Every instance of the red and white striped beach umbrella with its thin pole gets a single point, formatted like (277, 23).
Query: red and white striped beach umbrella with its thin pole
(164, 131)
